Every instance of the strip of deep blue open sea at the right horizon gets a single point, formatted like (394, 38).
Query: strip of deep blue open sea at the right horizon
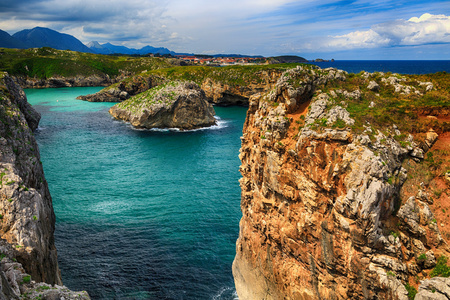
(394, 66)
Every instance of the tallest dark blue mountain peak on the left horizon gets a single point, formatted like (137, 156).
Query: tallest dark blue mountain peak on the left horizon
(43, 37)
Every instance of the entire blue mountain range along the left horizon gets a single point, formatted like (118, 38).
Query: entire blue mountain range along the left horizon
(44, 37)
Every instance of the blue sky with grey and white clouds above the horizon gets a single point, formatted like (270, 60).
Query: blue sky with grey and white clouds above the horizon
(355, 30)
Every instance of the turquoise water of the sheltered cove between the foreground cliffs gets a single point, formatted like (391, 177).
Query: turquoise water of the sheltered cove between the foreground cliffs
(140, 214)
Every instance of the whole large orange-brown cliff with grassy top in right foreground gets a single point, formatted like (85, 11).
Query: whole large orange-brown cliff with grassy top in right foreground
(326, 211)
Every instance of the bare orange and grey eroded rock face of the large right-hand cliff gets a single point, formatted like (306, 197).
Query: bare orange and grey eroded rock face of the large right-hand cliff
(320, 208)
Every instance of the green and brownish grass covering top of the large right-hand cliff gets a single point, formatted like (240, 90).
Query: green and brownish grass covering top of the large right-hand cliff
(390, 107)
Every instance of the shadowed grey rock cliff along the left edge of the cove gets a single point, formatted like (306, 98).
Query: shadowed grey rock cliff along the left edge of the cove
(27, 217)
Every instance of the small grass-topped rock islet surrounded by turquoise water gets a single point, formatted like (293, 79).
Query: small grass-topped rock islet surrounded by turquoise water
(181, 105)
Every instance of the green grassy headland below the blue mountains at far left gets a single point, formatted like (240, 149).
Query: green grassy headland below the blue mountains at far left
(46, 62)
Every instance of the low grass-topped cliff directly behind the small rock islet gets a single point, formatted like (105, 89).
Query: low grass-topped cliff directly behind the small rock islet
(223, 86)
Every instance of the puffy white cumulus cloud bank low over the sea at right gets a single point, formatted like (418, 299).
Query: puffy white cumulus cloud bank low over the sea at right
(423, 30)
